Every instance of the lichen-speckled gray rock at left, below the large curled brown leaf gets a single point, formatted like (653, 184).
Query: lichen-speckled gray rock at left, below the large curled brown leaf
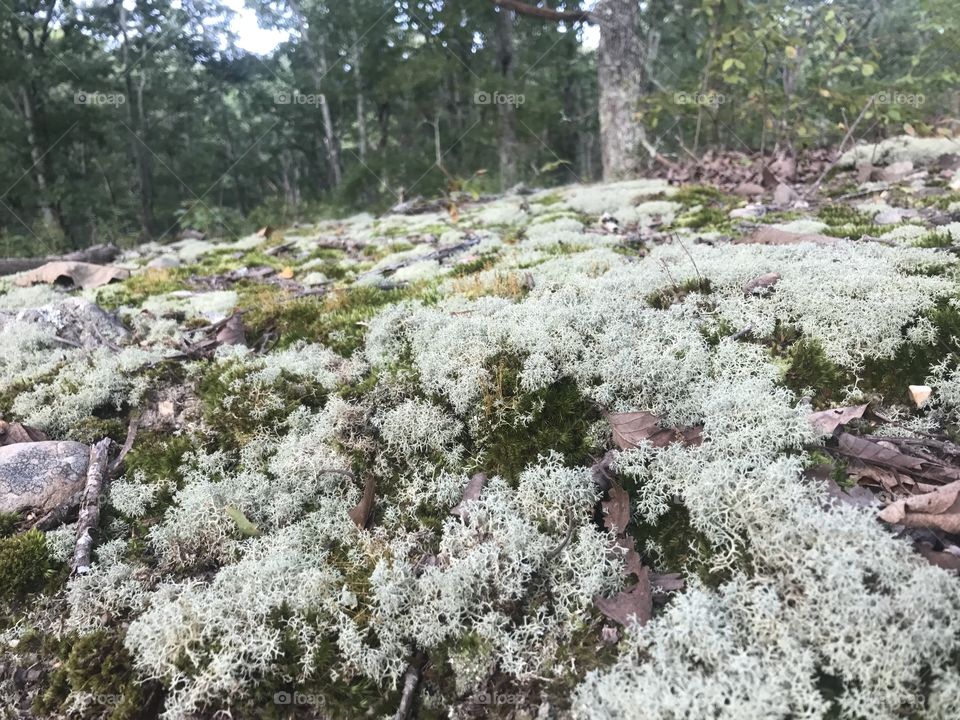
(75, 321)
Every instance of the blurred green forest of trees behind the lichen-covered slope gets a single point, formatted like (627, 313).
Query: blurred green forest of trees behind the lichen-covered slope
(125, 121)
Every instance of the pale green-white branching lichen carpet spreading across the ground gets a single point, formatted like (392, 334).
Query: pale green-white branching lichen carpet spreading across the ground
(796, 607)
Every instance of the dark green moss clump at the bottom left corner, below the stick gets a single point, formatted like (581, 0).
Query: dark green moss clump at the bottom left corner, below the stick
(99, 665)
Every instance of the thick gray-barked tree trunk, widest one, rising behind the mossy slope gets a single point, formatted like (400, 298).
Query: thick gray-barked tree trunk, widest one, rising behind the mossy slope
(620, 80)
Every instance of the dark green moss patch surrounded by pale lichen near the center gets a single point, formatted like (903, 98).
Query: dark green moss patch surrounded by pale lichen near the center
(560, 418)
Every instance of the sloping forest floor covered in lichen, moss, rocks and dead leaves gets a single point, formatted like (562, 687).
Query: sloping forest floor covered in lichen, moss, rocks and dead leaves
(639, 449)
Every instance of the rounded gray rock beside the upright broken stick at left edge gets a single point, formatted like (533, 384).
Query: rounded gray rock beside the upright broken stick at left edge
(41, 475)
